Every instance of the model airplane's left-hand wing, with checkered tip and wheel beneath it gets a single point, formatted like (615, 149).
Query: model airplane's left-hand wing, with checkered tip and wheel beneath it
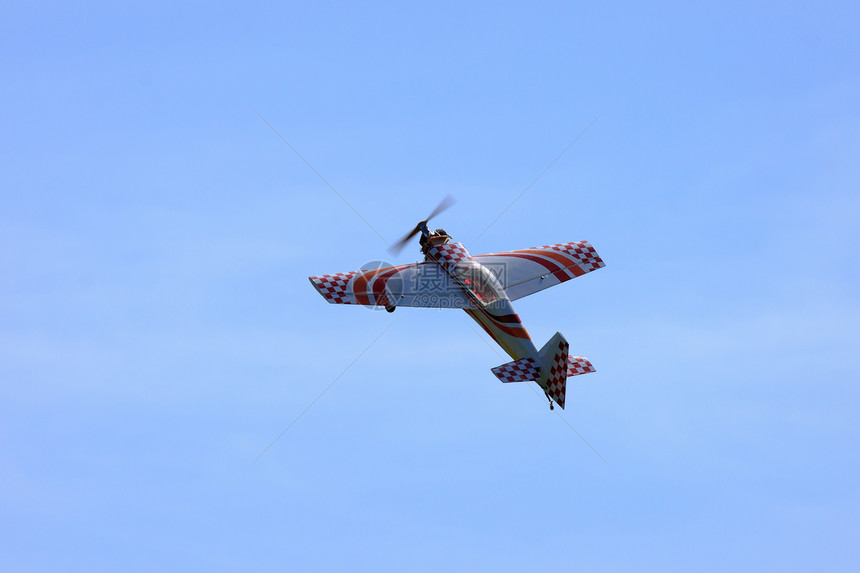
(423, 284)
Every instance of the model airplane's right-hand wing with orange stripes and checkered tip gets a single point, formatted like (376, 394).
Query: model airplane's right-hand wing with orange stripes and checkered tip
(528, 271)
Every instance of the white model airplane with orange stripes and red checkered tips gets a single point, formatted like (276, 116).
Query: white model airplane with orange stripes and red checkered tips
(483, 286)
